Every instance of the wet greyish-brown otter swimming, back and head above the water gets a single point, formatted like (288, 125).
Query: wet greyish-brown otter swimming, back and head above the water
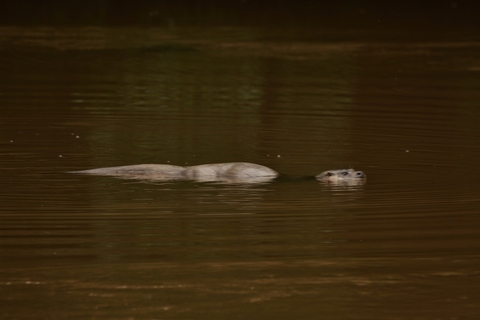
(234, 172)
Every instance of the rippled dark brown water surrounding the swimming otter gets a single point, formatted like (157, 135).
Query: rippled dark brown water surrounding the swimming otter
(403, 108)
